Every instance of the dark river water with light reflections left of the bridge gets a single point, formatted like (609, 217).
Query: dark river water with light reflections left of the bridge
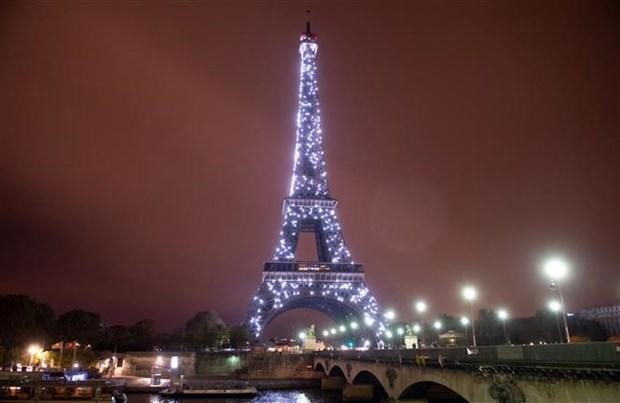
(266, 396)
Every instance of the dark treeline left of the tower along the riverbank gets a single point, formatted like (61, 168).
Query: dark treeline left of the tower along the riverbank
(24, 321)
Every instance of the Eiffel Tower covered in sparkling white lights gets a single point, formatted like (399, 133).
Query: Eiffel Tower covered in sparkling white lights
(334, 284)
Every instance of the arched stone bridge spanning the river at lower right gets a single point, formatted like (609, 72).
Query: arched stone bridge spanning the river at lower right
(562, 373)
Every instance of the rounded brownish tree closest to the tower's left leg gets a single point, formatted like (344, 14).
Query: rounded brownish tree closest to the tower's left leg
(205, 330)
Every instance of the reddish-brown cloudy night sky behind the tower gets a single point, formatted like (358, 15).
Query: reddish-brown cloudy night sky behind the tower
(146, 148)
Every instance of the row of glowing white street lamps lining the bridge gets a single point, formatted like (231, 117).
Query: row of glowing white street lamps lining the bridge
(554, 268)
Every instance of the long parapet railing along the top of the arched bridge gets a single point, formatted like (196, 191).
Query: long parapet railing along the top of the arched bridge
(590, 354)
